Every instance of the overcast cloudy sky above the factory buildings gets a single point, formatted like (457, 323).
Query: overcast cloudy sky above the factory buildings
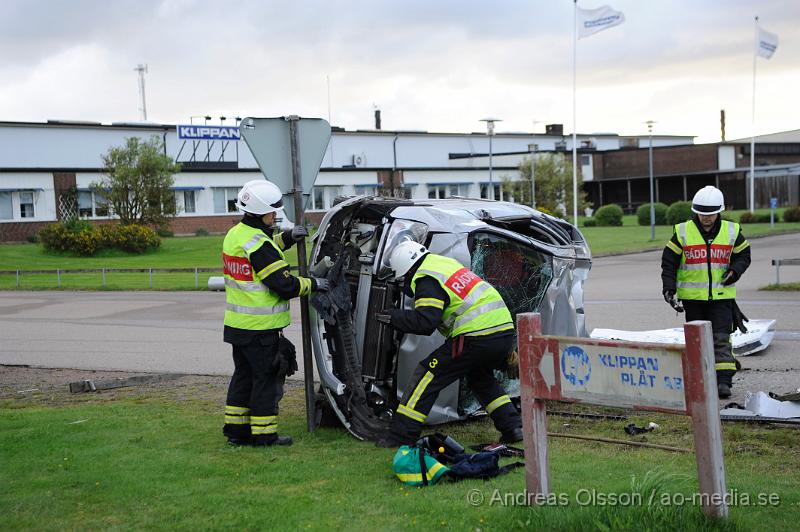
(437, 65)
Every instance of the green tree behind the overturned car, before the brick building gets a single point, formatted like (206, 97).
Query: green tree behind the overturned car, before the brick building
(553, 185)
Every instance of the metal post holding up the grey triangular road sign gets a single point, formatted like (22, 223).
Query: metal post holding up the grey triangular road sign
(308, 366)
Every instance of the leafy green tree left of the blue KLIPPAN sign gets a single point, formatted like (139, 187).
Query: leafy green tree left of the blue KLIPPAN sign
(136, 182)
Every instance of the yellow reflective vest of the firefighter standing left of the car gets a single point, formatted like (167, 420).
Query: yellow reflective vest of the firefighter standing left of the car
(249, 303)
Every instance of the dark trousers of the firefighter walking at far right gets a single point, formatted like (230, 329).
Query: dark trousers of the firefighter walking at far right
(720, 314)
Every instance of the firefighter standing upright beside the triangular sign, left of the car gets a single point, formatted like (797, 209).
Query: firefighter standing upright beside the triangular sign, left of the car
(258, 285)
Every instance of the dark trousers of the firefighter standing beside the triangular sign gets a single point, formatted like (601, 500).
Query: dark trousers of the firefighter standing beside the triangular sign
(251, 409)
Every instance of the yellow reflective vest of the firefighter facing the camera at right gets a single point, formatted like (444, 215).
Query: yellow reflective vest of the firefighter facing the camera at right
(703, 265)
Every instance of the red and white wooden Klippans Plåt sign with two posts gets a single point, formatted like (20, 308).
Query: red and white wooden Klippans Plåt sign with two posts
(642, 376)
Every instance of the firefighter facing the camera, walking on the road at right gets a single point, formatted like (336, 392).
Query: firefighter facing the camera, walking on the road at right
(700, 265)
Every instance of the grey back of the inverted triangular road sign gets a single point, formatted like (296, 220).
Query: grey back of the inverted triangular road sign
(270, 143)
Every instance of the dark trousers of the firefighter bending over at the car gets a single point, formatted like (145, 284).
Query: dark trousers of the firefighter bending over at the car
(479, 357)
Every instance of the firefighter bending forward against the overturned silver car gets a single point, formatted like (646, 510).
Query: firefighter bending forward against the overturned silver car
(479, 337)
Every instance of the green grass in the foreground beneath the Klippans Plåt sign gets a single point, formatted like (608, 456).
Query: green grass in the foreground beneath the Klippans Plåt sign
(153, 459)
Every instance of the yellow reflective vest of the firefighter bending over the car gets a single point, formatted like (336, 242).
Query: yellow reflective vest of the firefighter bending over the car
(475, 307)
